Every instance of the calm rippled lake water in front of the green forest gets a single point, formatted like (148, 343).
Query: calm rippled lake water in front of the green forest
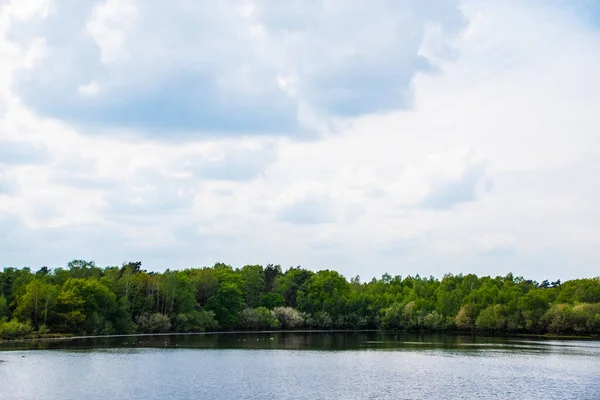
(316, 365)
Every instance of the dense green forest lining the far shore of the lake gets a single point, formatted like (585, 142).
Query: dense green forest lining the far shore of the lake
(84, 299)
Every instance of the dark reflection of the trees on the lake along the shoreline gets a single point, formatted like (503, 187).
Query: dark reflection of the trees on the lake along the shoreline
(314, 340)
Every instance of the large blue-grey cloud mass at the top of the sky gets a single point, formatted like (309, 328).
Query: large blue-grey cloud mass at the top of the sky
(202, 69)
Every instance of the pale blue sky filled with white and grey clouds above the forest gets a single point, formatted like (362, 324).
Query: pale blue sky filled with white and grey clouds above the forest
(401, 136)
